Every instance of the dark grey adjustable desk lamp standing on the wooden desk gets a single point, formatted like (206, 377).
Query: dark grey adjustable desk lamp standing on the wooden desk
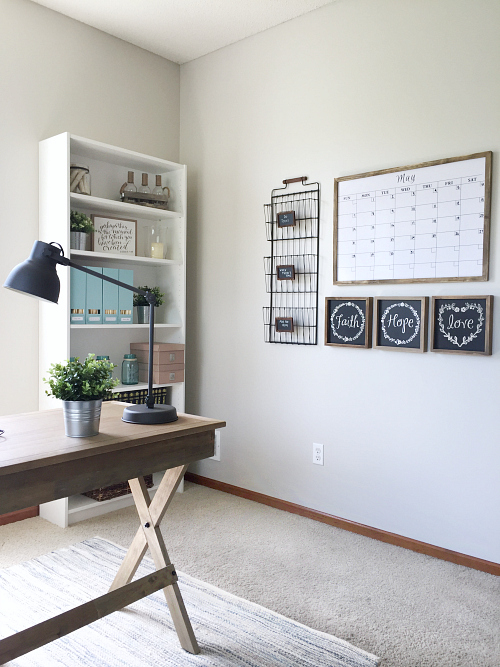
(37, 276)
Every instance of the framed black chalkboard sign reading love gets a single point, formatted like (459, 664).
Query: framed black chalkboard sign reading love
(461, 324)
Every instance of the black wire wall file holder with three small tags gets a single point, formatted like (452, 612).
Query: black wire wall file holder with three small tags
(291, 271)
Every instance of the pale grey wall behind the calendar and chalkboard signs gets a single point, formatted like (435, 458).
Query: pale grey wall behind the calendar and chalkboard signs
(411, 441)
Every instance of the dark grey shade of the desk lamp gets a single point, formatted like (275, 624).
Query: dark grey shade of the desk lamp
(36, 276)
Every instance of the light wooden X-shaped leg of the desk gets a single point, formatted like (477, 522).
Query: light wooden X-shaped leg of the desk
(151, 513)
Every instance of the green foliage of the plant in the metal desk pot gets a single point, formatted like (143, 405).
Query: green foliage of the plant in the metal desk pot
(77, 381)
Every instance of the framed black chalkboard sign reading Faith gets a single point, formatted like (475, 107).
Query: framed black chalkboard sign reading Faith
(348, 321)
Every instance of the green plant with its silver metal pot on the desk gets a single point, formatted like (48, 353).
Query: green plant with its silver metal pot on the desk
(81, 387)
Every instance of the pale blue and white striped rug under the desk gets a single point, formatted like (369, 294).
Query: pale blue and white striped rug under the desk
(231, 632)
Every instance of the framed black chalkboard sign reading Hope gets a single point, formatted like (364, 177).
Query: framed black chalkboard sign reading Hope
(401, 323)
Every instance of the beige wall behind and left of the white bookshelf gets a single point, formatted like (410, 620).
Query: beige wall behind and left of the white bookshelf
(59, 75)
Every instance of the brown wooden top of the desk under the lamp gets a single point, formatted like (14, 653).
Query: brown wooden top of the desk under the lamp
(35, 440)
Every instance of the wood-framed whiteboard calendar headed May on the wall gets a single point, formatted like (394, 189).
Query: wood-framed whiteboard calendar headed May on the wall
(422, 223)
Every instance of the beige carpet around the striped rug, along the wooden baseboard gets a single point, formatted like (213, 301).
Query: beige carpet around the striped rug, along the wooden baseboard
(411, 610)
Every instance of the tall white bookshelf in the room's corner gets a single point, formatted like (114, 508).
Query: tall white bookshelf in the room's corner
(60, 340)
